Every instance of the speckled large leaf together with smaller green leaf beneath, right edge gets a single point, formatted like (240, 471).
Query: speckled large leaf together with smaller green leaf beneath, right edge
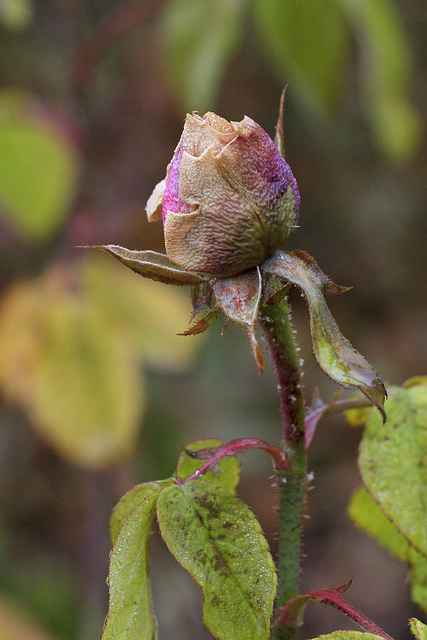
(393, 464)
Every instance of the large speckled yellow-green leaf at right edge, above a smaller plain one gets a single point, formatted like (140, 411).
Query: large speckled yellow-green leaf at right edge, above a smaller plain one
(393, 462)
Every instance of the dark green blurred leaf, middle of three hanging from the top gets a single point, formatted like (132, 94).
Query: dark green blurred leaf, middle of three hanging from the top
(293, 34)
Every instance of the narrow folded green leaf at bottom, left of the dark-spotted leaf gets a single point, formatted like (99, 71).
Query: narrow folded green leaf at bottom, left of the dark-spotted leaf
(130, 612)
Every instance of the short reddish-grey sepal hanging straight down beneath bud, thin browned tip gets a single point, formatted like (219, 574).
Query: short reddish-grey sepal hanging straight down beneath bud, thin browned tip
(239, 298)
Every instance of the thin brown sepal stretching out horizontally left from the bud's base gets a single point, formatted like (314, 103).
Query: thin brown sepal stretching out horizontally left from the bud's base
(153, 265)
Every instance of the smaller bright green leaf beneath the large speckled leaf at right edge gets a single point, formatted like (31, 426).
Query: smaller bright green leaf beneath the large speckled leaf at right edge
(369, 517)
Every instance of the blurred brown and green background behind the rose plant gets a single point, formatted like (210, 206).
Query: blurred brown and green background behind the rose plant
(97, 390)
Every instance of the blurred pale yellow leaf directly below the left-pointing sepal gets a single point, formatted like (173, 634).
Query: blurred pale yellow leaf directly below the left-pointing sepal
(146, 312)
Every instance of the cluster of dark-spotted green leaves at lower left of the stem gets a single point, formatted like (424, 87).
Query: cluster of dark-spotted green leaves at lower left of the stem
(211, 533)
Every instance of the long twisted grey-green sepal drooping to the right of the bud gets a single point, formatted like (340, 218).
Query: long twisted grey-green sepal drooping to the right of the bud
(333, 351)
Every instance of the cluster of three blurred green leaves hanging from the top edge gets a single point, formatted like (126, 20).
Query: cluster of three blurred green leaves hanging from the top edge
(306, 43)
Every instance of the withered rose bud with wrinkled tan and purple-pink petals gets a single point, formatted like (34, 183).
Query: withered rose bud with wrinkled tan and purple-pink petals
(229, 199)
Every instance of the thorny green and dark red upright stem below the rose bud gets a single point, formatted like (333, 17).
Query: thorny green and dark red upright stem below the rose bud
(276, 324)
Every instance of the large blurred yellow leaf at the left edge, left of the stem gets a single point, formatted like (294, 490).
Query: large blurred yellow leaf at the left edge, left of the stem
(78, 378)
